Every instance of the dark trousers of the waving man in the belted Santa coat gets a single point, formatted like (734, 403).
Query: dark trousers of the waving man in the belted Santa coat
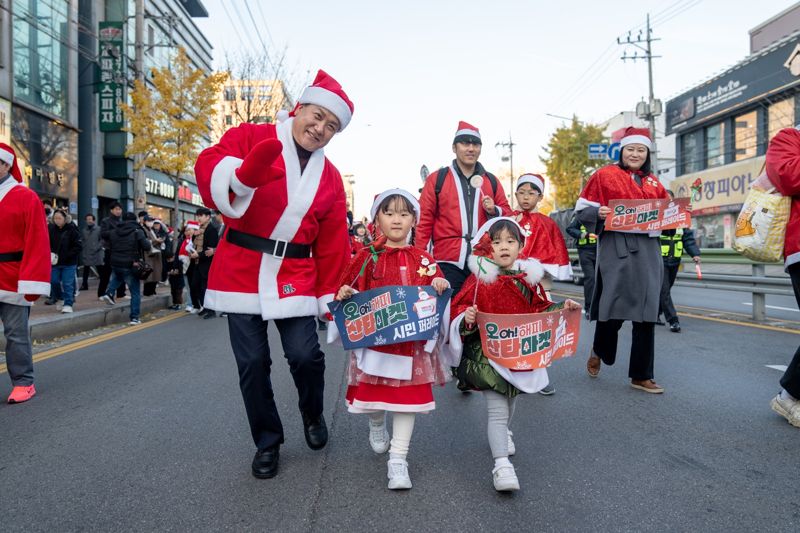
(250, 345)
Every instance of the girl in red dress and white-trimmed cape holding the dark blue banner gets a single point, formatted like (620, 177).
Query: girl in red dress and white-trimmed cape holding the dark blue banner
(396, 377)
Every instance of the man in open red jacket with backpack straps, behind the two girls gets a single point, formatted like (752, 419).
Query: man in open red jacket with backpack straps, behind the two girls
(455, 202)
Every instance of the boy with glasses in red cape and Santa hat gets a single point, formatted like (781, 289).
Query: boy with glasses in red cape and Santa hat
(544, 241)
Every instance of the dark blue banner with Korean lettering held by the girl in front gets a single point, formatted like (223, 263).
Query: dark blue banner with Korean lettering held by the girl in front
(389, 315)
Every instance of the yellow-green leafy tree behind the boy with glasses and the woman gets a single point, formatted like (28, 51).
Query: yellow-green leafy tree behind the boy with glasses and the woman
(567, 161)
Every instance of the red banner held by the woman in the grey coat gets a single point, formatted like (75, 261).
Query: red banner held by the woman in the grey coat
(648, 215)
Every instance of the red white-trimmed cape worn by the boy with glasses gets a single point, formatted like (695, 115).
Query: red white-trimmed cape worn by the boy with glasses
(545, 243)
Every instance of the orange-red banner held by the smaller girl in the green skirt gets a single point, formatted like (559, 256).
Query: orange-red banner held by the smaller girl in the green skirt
(527, 342)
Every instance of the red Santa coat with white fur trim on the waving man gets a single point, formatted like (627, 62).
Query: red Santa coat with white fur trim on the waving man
(294, 208)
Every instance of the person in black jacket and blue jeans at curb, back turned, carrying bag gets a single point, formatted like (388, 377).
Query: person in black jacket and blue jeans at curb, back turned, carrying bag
(128, 244)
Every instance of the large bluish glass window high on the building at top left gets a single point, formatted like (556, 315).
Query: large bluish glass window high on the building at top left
(41, 47)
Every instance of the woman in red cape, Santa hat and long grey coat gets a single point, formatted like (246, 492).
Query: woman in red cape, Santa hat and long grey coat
(629, 265)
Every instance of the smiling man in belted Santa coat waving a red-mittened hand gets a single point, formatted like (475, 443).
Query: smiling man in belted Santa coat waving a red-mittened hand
(285, 245)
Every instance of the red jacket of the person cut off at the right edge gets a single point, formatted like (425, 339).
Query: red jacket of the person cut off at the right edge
(783, 170)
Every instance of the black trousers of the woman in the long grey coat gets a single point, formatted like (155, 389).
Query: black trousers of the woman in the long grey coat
(642, 346)
